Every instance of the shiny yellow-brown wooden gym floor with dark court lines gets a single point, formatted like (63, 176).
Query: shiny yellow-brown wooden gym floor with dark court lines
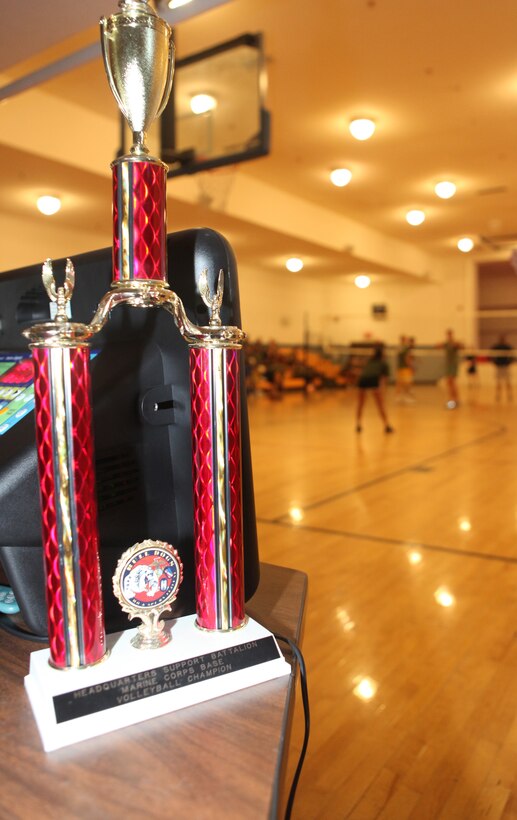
(410, 544)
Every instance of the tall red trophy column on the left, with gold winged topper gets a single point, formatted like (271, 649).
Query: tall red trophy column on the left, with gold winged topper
(64, 440)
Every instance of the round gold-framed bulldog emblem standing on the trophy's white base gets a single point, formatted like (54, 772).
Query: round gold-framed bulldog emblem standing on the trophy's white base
(146, 583)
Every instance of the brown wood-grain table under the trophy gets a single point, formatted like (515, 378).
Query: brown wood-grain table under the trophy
(219, 759)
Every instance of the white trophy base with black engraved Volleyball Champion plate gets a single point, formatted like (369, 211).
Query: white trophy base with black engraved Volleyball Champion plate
(132, 685)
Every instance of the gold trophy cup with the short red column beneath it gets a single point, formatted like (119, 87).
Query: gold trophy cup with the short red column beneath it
(138, 57)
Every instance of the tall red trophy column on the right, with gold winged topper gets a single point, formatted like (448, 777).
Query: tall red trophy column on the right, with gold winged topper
(216, 444)
